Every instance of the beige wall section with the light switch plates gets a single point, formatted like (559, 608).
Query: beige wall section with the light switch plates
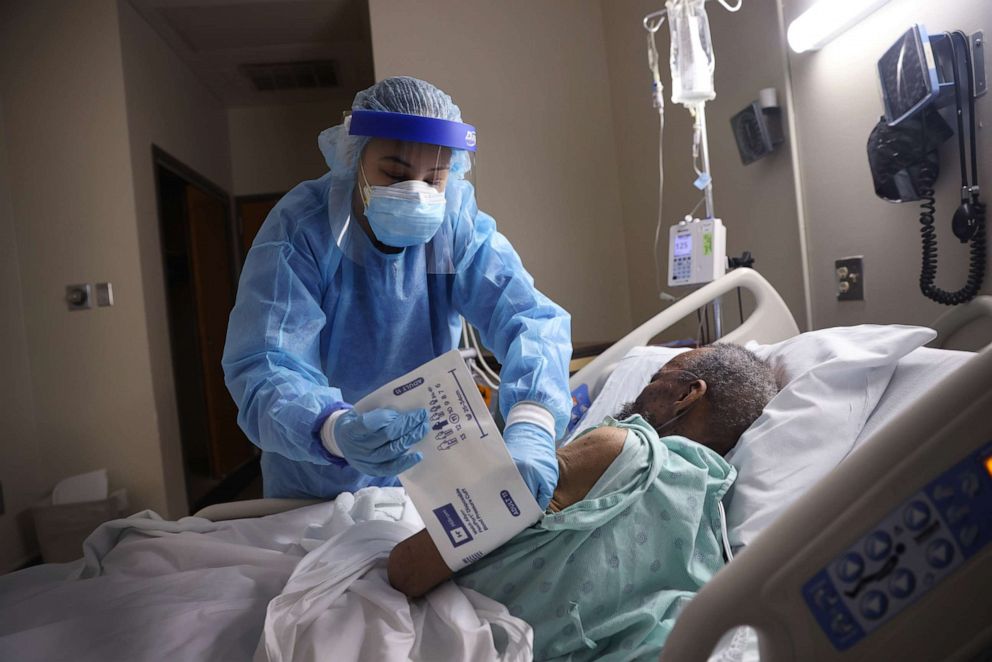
(72, 207)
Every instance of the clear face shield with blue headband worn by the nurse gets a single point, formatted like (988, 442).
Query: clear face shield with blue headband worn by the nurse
(411, 179)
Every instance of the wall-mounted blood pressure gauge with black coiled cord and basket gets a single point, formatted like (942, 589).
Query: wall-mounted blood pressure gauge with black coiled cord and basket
(923, 78)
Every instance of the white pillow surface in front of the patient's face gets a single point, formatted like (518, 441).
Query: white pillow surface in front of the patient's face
(631, 374)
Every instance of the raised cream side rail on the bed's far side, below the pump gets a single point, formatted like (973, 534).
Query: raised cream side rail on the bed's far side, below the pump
(770, 322)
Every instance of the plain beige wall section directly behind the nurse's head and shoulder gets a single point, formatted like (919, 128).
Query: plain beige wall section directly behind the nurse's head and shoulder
(532, 77)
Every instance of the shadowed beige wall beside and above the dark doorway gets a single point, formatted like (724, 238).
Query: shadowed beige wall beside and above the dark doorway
(169, 107)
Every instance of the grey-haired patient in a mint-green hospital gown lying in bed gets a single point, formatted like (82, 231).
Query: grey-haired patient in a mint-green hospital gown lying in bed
(633, 529)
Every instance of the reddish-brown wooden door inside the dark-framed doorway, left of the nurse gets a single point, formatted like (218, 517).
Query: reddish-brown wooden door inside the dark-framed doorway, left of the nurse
(213, 283)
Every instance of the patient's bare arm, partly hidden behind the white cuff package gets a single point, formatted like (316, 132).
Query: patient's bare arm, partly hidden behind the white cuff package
(416, 566)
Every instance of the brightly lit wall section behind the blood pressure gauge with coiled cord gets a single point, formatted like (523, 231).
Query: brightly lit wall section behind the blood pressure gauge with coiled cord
(837, 103)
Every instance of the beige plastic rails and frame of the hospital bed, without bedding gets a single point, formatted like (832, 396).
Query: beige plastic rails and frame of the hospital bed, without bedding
(930, 599)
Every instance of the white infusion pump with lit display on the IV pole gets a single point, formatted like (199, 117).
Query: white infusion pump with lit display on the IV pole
(697, 251)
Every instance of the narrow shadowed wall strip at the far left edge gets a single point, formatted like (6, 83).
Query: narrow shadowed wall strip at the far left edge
(20, 461)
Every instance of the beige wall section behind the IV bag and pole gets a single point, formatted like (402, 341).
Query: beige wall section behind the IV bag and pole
(757, 203)
